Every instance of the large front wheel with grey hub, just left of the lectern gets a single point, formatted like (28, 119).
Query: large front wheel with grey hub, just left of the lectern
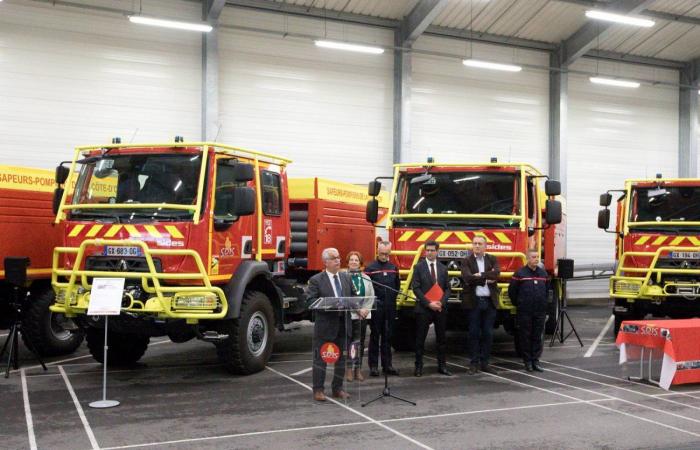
(250, 337)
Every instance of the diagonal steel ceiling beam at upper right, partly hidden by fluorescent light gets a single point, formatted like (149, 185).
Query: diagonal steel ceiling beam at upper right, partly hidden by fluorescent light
(584, 39)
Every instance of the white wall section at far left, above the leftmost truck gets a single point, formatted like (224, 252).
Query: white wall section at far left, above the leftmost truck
(74, 77)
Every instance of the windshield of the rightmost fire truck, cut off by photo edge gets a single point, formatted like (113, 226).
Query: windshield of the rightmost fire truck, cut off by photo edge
(665, 204)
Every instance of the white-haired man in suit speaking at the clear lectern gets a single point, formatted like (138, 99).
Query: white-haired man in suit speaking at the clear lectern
(330, 326)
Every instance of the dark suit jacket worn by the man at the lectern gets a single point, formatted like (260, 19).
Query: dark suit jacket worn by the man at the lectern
(326, 323)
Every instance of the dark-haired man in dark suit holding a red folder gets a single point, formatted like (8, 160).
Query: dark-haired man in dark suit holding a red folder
(426, 274)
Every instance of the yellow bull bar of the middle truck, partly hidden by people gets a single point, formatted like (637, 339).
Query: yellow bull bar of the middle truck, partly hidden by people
(403, 298)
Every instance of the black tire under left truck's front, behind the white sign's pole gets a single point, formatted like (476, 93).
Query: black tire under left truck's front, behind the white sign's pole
(124, 348)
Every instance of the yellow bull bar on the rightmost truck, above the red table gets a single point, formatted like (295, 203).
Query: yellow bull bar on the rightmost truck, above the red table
(639, 287)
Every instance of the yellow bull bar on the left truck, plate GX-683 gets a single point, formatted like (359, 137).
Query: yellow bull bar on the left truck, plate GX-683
(73, 296)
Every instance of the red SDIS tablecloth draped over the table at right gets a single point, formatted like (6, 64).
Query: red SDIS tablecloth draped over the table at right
(678, 339)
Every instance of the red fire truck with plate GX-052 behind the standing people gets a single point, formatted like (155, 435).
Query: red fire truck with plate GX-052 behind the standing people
(452, 203)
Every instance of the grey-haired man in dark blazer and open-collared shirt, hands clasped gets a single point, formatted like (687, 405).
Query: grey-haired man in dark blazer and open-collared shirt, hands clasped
(479, 274)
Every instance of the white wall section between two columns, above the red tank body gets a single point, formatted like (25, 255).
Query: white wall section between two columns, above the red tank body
(328, 110)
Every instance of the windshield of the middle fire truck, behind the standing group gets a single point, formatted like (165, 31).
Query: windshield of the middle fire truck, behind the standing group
(472, 193)
